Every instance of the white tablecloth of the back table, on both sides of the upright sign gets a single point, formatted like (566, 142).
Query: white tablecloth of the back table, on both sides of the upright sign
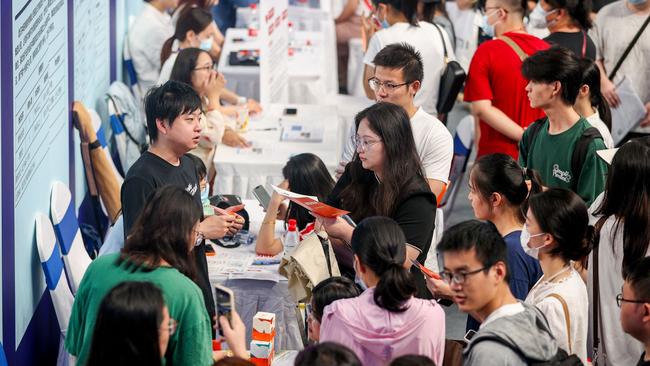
(312, 67)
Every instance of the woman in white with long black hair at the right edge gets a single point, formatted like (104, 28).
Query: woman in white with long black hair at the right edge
(623, 221)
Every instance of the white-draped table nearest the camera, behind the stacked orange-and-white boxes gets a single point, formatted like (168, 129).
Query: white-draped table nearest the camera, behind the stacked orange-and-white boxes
(268, 292)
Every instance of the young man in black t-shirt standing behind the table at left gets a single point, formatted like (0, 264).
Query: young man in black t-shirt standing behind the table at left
(173, 122)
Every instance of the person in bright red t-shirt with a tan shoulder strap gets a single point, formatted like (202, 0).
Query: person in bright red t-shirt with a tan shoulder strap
(495, 86)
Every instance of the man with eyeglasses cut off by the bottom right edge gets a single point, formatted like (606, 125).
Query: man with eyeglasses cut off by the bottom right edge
(634, 301)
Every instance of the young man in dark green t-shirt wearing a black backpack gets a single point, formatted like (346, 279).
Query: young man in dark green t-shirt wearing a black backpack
(554, 80)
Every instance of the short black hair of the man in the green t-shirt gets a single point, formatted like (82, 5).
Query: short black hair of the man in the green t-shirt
(555, 64)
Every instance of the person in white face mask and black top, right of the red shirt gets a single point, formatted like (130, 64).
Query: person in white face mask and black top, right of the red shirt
(568, 21)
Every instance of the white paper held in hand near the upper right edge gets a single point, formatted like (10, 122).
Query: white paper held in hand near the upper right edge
(629, 112)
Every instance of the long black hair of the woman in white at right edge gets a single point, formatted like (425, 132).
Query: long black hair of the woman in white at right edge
(627, 198)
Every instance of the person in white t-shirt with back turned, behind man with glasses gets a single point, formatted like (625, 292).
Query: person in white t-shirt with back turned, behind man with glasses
(401, 26)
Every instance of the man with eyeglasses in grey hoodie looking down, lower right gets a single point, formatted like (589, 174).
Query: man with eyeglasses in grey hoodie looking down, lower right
(511, 332)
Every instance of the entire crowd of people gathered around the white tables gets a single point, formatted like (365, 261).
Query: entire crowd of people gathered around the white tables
(554, 267)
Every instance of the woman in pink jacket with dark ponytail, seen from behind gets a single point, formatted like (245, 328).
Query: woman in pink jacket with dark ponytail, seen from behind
(385, 321)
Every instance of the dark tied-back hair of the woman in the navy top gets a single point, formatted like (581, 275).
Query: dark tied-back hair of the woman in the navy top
(500, 173)
